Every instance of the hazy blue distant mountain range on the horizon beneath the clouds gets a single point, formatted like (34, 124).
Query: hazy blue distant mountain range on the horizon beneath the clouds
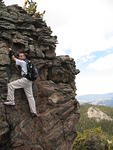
(97, 99)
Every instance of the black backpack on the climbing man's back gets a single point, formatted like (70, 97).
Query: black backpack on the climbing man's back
(32, 71)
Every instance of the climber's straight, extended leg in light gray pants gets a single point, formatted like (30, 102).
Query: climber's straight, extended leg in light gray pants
(29, 94)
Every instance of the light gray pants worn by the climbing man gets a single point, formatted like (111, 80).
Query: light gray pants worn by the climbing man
(27, 86)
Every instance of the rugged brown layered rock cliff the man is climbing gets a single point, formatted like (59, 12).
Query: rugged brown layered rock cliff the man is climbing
(54, 90)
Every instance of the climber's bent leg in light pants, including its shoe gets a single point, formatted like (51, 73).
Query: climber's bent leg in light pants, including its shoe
(11, 88)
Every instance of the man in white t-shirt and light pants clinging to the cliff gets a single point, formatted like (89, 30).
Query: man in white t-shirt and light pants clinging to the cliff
(21, 83)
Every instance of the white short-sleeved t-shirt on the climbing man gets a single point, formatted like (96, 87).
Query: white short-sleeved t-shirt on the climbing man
(23, 65)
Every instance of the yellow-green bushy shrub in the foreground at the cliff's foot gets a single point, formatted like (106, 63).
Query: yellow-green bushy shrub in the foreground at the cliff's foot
(92, 139)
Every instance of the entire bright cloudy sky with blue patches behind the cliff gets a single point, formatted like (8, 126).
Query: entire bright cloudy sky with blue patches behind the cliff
(85, 32)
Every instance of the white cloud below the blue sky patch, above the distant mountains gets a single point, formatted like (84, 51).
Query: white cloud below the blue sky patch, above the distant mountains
(98, 77)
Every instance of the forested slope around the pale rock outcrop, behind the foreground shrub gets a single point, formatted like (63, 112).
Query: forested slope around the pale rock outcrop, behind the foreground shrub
(87, 123)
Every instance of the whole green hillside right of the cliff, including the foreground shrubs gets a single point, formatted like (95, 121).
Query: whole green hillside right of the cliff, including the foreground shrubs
(94, 134)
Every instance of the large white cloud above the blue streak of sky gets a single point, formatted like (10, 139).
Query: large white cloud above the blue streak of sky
(83, 25)
